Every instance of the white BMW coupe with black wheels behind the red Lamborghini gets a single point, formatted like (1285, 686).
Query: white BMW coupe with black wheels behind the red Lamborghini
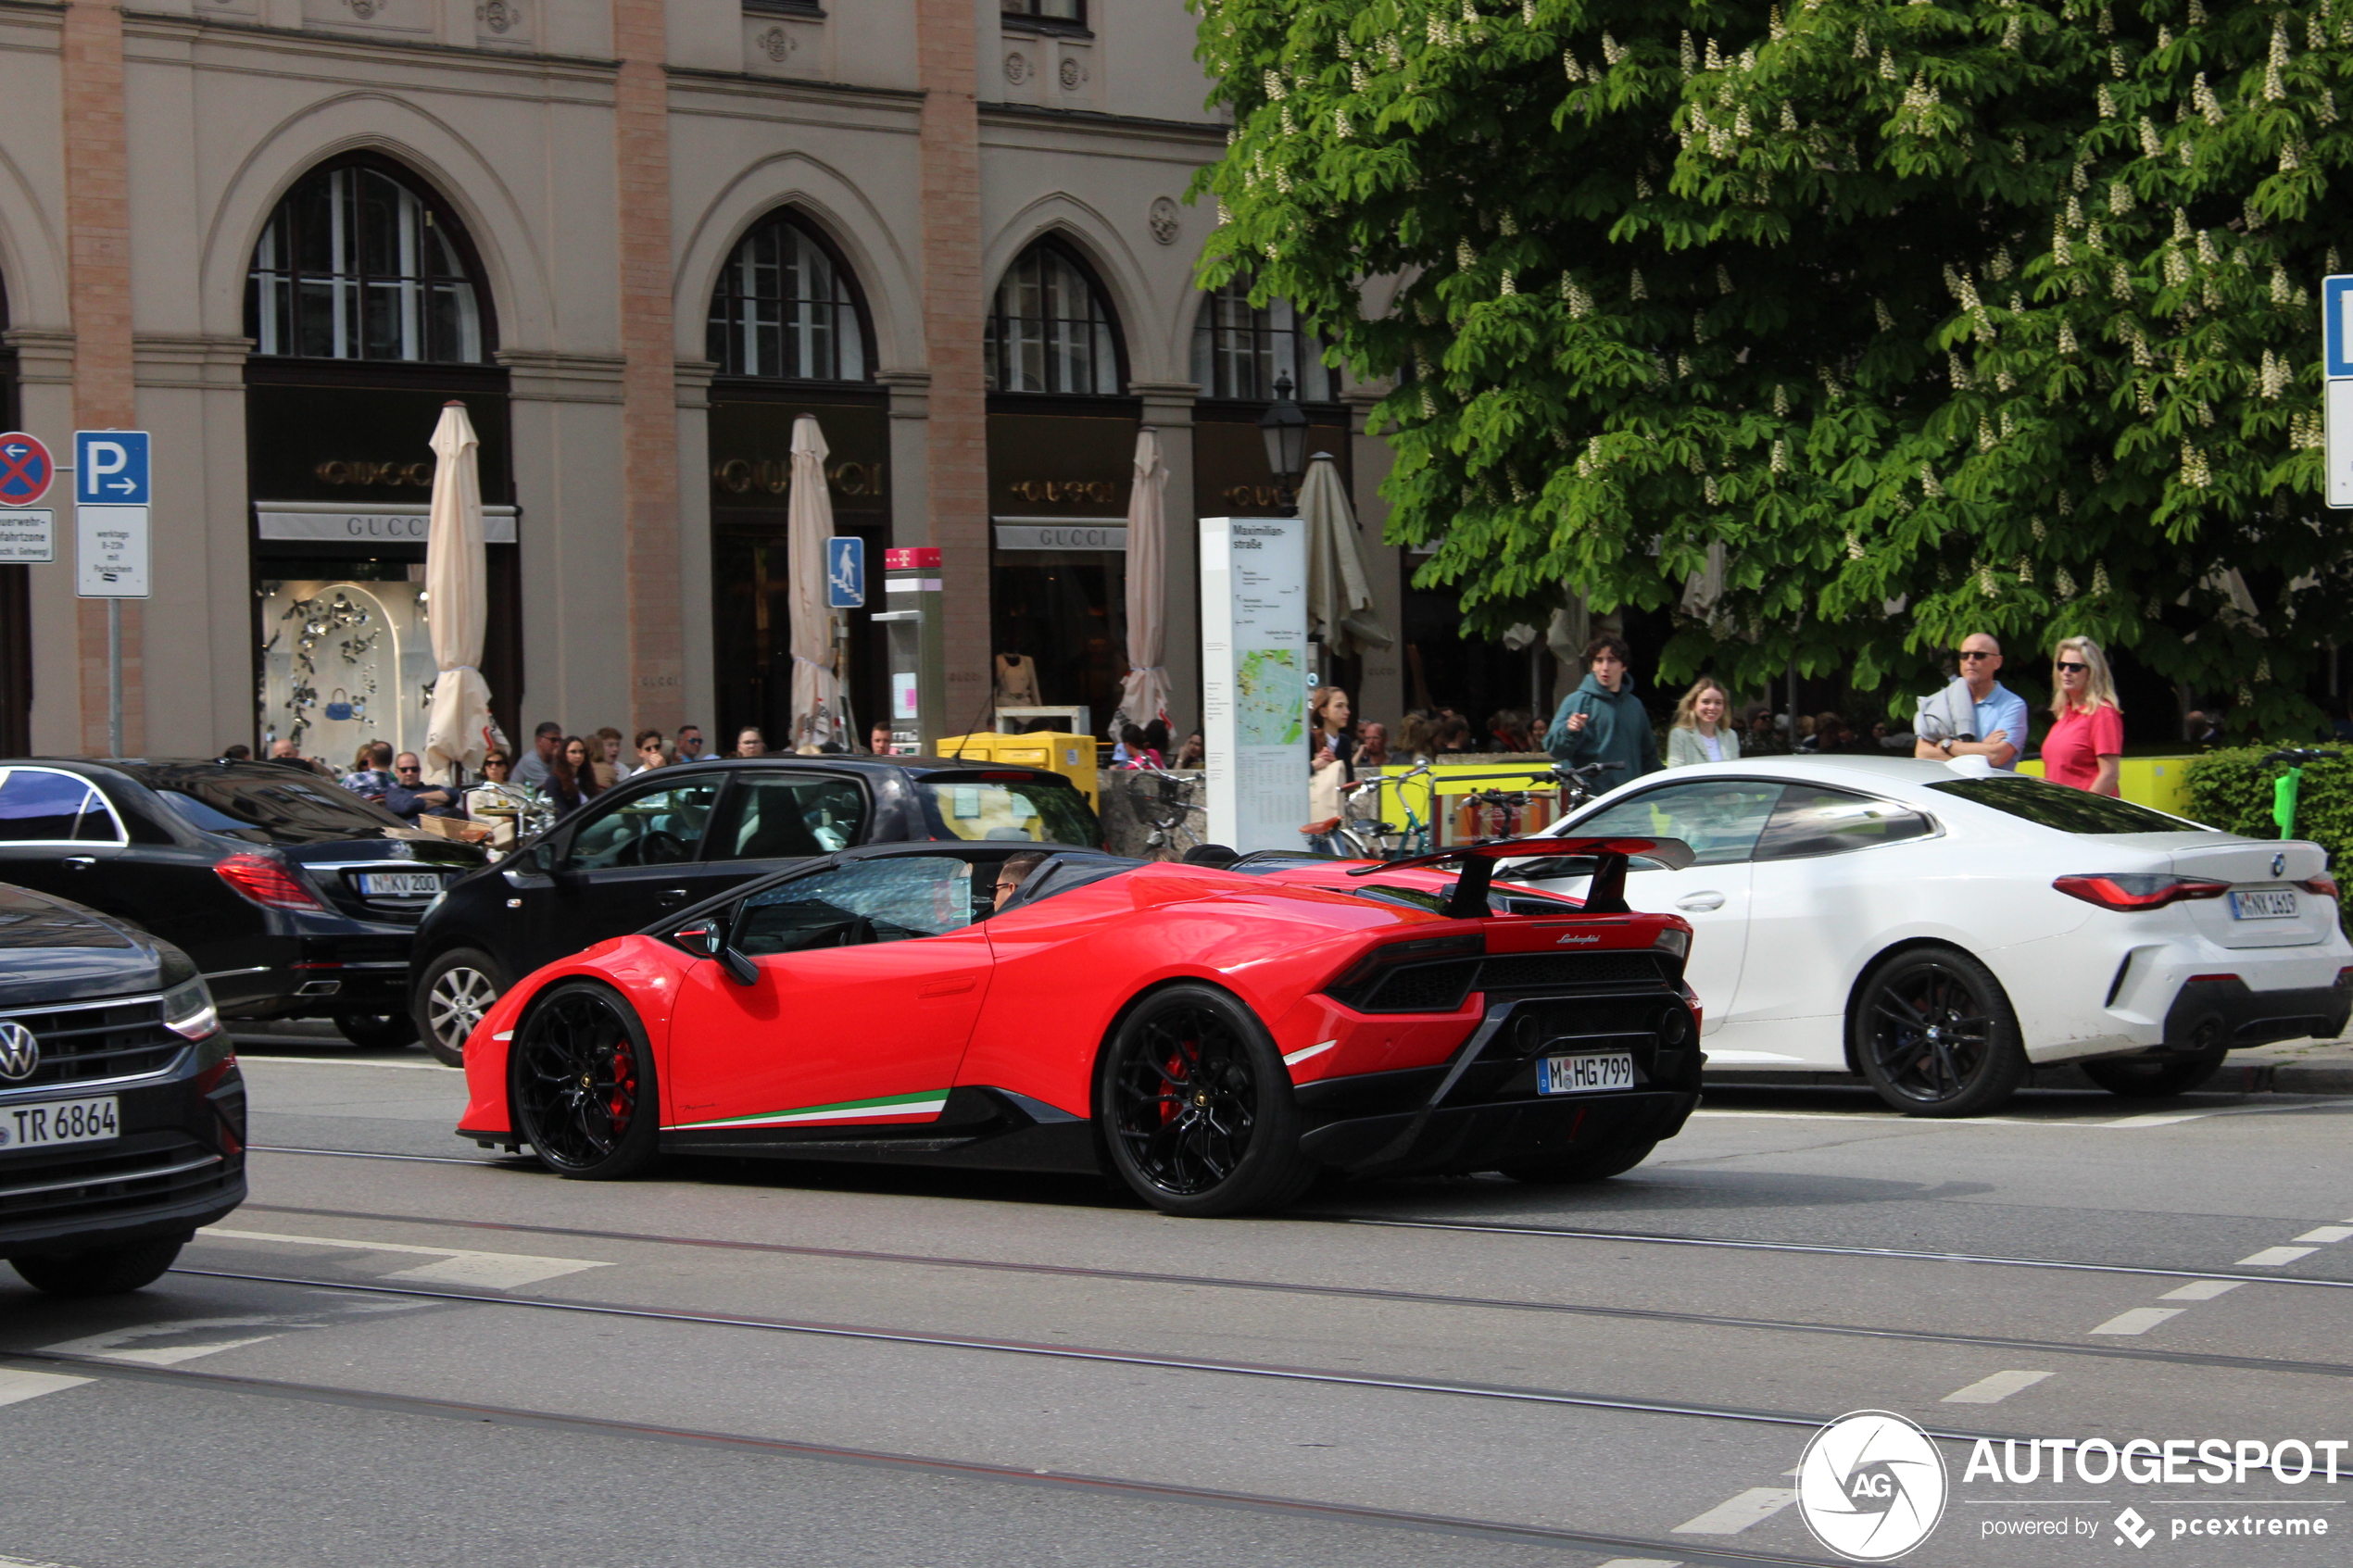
(1940, 927)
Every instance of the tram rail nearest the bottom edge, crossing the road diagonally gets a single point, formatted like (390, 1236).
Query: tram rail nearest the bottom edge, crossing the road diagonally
(1686, 1550)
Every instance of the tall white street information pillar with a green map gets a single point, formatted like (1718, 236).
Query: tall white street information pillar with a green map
(1255, 678)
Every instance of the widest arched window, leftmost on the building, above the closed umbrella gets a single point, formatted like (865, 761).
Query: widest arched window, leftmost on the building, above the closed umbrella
(361, 264)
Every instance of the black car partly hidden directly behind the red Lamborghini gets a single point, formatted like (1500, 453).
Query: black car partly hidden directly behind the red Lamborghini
(679, 836)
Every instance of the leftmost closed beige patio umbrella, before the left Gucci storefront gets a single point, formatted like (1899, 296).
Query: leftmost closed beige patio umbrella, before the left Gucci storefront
(458, 603)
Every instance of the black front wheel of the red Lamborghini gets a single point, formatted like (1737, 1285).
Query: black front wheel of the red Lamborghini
(582, 1085)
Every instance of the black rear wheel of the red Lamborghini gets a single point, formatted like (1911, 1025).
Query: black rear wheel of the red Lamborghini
(1199, 1108)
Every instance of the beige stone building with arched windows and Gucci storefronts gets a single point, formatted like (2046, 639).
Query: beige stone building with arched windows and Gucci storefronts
(636, 239)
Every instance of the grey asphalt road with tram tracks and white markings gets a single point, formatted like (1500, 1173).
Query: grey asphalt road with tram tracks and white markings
(411, 1351)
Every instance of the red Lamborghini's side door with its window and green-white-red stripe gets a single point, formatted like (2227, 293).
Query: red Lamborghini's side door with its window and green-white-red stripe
(869, 981)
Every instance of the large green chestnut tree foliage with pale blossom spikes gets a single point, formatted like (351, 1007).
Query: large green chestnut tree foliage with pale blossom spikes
(1928, 319)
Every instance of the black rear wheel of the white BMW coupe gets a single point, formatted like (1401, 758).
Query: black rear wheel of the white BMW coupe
(1935, 1036)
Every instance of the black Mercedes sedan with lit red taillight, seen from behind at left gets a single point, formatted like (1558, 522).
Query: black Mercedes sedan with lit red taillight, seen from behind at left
(295, 897)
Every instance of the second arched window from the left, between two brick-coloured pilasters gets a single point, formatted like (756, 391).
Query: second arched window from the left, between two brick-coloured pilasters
(785, 309)
